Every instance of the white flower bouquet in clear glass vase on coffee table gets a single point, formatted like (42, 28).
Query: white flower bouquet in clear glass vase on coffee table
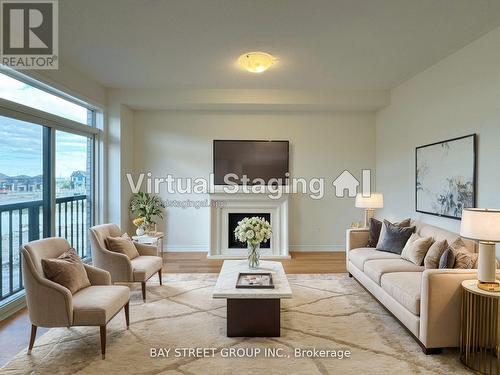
(253, 231)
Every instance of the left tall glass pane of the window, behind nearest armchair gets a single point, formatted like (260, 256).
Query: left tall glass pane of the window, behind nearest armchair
(21, 196)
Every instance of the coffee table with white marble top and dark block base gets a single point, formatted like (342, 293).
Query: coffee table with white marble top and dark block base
(252, 312)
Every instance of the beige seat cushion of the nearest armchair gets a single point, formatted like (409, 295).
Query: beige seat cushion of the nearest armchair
(96, 305)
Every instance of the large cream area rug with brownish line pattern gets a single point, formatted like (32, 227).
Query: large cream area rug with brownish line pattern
(327, 312)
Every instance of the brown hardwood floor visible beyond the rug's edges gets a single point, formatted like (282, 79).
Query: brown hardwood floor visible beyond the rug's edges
(15, 331)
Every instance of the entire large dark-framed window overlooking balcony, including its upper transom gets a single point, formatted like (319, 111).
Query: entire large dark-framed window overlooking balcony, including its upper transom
(47, 174)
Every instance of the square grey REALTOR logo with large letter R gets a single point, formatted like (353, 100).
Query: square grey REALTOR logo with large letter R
(29, 37)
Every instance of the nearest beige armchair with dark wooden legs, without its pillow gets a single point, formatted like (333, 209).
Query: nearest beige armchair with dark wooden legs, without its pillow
(52, 305)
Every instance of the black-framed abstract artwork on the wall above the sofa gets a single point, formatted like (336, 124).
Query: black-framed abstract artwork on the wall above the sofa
(445, 177)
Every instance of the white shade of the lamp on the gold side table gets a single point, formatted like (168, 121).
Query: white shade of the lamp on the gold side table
(480, 224)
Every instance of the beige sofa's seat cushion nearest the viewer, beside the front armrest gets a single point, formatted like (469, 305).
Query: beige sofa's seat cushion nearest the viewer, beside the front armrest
(404, 287)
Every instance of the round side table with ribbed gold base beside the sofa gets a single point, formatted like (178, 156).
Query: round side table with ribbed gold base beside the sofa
(480, 329)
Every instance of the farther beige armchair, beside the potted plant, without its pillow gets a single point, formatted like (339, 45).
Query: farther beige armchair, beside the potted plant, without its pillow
(121, 268)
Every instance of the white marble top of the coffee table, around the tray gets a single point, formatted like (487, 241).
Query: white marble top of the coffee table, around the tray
(226, 283)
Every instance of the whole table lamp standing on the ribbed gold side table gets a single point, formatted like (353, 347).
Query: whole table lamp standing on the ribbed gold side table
(483, 224)
